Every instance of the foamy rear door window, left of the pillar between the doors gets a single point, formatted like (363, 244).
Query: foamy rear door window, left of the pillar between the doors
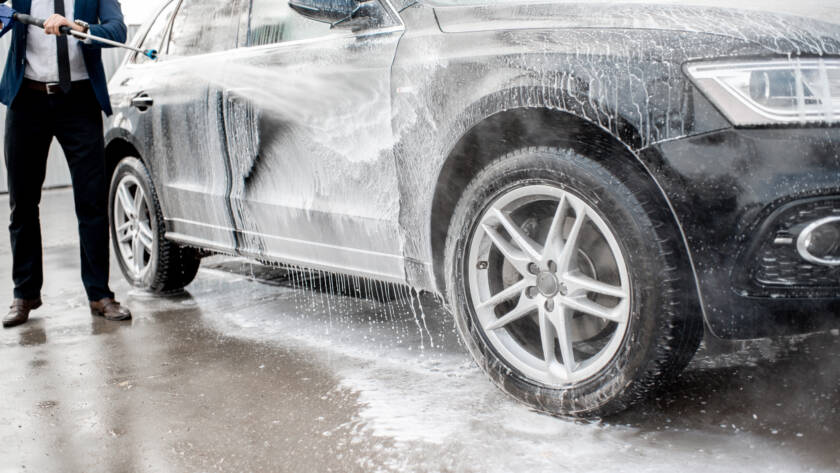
(204, 26)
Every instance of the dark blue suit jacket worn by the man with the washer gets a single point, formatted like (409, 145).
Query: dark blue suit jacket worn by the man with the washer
(105, 19)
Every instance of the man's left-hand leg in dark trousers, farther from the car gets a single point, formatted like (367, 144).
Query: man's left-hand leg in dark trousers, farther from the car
(28, 137)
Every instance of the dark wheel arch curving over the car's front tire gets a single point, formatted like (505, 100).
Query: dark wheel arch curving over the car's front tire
(516, 128)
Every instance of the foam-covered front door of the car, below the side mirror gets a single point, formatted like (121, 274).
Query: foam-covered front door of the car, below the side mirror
(309, 131)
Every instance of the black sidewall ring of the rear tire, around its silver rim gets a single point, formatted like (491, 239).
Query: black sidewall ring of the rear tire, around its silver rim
(135, 168)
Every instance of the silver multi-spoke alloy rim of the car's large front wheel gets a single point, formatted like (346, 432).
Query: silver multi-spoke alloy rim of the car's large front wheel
(548, 284)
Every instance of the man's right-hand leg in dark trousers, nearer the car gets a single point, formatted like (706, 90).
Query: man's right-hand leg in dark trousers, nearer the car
(79, 131)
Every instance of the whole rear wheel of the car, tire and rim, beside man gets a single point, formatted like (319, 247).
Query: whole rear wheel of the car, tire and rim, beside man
(137, 233)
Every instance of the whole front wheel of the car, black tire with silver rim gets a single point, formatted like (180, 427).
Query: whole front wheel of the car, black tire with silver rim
(522, 275)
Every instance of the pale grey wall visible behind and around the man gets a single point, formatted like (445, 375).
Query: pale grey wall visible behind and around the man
(57, 173)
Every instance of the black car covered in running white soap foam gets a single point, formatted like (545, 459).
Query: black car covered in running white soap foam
(589, 186)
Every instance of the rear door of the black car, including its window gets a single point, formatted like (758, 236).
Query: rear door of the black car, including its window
(187, 117)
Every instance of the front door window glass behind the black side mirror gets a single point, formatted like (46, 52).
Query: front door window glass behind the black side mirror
(273, 21)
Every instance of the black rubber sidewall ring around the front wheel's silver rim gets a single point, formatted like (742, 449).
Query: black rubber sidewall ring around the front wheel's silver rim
(611, 389)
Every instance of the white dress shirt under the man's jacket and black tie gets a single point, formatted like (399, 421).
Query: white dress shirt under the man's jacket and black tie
(41, 49)
